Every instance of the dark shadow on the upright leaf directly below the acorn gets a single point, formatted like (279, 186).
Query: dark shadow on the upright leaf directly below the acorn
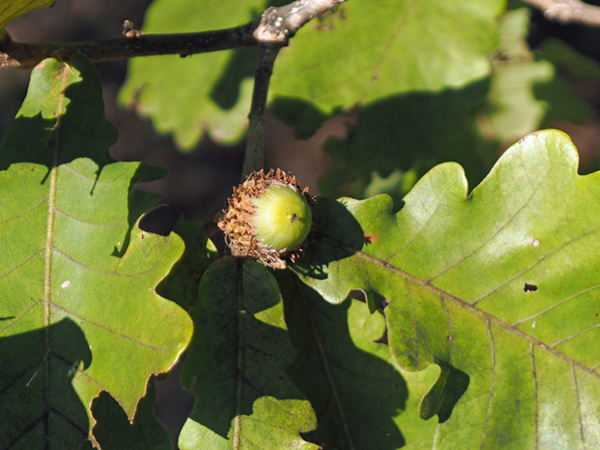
(235, 357)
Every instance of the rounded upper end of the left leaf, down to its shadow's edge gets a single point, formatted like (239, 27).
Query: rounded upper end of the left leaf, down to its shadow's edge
(44, 135)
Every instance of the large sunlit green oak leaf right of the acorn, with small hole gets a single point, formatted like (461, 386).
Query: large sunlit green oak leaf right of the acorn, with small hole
(499, 286)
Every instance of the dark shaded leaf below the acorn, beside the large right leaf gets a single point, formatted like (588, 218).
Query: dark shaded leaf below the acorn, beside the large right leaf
(355, 395)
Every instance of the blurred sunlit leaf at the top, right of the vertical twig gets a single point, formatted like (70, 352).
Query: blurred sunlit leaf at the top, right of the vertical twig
(363, 53)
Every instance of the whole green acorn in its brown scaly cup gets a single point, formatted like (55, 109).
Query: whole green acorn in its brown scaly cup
(268, 218)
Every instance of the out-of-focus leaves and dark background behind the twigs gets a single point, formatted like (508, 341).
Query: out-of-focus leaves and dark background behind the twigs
(356, 109)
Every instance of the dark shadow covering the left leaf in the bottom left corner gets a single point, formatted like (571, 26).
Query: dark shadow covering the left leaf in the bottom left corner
(37, 401)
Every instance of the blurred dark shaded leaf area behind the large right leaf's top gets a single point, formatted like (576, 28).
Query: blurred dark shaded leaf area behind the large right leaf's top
(404, 132)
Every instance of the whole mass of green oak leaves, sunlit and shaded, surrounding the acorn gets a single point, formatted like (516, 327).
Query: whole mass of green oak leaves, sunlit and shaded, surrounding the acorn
(481, 308)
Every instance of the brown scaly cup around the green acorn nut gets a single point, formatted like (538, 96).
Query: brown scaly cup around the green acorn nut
(236, 220)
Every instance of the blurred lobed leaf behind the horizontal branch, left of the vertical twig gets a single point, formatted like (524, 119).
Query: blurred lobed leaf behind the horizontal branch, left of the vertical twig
(200, 93)
